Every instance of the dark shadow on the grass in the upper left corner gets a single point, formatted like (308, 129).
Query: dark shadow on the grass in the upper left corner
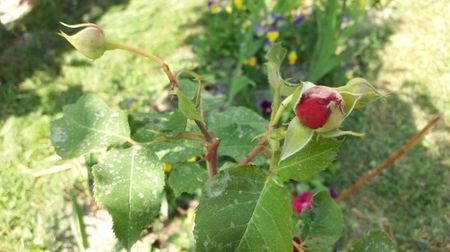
(32, 45)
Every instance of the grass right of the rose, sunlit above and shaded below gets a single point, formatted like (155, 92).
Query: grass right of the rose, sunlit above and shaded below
(411, 199)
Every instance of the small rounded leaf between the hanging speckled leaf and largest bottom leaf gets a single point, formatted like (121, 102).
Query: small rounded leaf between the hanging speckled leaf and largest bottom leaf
(188, 178)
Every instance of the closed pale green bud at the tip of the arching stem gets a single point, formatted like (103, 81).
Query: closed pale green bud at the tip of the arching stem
(90, 41)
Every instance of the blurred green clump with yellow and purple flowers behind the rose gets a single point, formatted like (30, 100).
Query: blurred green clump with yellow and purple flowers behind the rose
(322, 40)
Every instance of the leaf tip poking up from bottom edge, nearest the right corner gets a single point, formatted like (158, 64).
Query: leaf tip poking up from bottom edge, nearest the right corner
(374, 241)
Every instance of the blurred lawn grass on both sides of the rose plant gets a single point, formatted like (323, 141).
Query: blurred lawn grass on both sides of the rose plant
(39, 73)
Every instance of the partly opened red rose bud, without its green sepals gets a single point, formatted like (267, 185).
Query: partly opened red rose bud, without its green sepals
(321, 108)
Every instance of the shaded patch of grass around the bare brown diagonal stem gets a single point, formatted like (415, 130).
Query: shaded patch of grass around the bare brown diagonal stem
(408, 199)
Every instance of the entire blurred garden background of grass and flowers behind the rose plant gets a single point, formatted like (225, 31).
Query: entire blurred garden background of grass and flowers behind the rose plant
(400, 46)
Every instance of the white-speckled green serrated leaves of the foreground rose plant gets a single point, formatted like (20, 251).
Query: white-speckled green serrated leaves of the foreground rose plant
(243, 207)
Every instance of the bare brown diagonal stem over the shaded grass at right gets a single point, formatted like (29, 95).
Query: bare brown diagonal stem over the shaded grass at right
(390, 160)
